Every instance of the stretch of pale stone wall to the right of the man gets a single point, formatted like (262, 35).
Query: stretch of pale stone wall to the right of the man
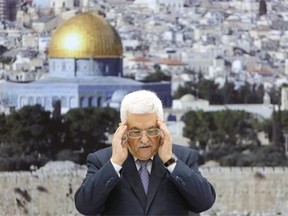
(254, 190)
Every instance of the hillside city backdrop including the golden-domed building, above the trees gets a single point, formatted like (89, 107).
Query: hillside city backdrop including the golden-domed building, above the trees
(224, 40)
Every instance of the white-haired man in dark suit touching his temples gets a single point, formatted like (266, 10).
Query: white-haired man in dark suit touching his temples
(143, 173)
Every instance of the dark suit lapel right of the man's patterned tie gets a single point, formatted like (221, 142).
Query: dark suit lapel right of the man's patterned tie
(157, 174)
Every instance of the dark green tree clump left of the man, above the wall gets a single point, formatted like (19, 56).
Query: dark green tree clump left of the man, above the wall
(33, 136)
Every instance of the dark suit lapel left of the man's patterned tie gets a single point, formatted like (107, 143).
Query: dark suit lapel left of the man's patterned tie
(130, 173)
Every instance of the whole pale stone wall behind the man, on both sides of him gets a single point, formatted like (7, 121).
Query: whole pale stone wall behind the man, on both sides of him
(50, 190)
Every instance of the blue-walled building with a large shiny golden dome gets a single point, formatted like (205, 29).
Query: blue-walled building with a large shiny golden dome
(85, 70)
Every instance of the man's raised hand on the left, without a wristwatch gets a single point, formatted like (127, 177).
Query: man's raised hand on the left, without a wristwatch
(119, 145)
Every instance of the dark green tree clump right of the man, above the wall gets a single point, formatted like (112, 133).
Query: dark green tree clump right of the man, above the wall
(230, 137)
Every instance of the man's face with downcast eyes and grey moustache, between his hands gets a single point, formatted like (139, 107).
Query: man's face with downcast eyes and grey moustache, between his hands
(143, 147)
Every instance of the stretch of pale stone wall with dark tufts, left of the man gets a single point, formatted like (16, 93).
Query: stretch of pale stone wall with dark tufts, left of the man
(43, 192)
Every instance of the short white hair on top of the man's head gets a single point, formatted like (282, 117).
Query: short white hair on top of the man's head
(141, 102)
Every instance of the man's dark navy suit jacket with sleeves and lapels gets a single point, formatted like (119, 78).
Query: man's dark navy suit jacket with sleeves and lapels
(103, 192)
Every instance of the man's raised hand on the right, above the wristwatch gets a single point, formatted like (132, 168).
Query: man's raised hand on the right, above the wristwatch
(165, 146)
